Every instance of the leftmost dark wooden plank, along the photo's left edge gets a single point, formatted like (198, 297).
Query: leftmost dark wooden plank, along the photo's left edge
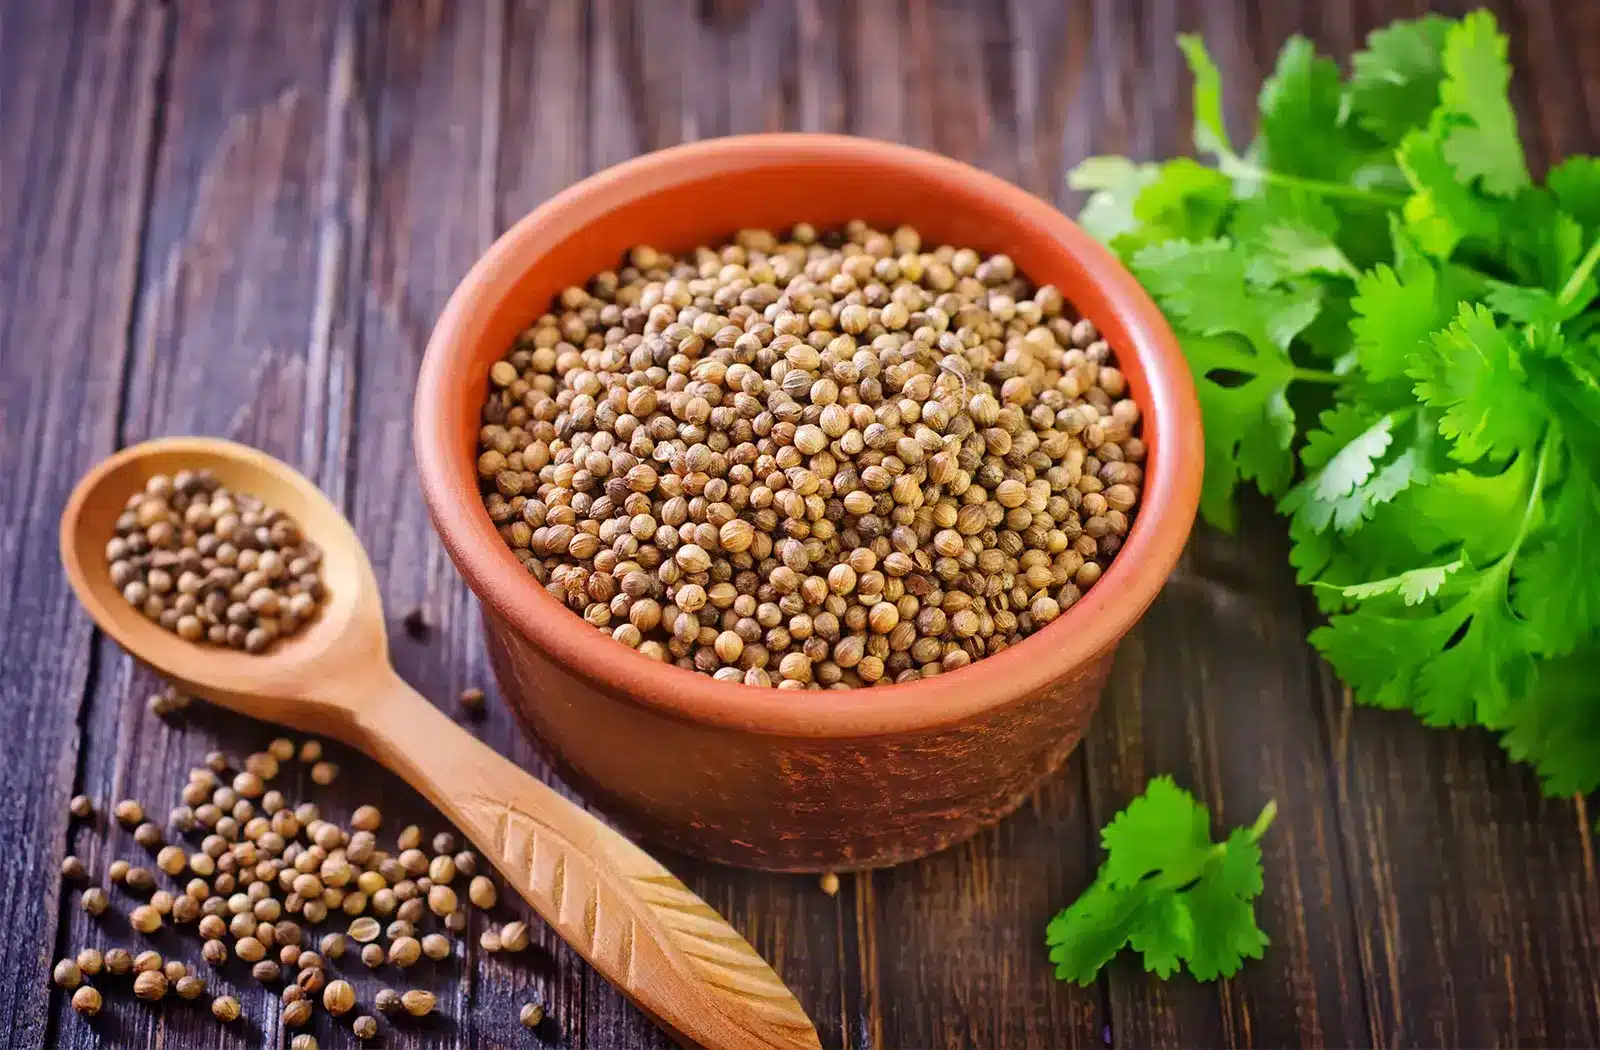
(79, 110)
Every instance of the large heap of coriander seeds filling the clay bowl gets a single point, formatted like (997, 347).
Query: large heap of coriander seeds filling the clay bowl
(825, 460)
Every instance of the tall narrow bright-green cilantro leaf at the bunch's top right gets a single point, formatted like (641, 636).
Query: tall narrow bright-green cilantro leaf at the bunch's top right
(1479, 124)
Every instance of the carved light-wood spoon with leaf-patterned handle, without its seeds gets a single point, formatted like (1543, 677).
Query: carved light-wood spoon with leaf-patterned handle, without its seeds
(626, 915)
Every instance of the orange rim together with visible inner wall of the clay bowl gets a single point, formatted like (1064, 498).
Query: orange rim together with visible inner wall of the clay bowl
(703, 193)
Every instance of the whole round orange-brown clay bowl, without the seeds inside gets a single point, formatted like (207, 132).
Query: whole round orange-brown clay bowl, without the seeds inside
(756, 777)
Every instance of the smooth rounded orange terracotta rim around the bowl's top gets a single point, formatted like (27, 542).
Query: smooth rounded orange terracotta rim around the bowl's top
(1098, 622)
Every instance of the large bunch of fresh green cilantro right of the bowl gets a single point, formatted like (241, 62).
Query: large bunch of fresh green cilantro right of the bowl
(1396, 337)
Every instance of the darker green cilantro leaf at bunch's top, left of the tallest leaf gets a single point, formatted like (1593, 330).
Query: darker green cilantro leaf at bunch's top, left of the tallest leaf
(1394, 82)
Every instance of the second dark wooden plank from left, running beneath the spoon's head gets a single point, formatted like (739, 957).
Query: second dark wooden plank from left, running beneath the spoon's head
(257, 222)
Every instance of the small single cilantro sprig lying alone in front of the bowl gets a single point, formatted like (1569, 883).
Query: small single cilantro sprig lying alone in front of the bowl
(1170, 892)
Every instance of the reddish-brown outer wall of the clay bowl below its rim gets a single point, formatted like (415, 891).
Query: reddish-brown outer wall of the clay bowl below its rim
(786, 803)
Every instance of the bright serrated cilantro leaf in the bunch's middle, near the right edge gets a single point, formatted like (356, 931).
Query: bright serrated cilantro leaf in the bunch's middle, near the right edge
(1473, 374)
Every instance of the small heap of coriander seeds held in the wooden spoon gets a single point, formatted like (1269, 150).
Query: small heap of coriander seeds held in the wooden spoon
(215, 566)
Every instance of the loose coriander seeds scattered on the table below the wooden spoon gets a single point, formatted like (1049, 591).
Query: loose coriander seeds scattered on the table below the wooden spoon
(276, 892)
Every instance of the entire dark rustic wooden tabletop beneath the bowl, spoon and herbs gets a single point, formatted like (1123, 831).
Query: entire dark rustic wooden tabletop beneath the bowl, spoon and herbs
(241, 218)
